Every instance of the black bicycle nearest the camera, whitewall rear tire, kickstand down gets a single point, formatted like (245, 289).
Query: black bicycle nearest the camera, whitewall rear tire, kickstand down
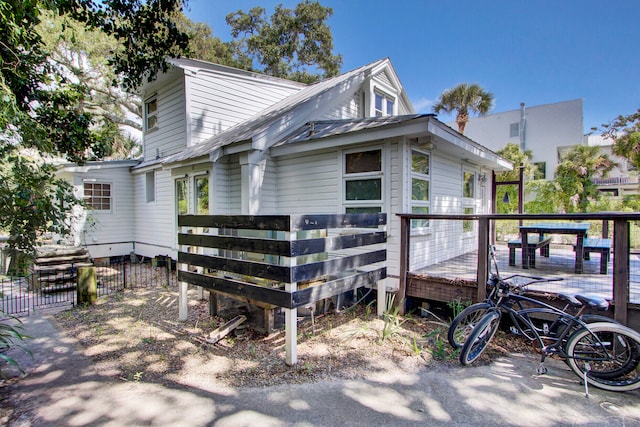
(604, 354)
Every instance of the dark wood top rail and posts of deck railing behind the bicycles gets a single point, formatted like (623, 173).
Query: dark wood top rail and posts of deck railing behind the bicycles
(623, 311)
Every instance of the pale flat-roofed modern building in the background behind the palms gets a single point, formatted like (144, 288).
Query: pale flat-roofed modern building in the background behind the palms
(543, 129)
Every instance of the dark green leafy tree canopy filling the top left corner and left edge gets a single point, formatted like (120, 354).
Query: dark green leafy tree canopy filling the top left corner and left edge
(42, 114)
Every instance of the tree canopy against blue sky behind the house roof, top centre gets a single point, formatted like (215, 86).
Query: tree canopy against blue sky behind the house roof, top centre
(290, 45)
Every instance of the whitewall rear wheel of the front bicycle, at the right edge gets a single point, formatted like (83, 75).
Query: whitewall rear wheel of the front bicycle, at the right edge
(608, 354)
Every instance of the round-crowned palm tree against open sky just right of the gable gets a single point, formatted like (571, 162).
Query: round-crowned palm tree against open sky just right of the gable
(464, 99)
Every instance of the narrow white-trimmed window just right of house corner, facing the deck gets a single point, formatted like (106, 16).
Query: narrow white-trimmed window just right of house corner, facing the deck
(420, 188)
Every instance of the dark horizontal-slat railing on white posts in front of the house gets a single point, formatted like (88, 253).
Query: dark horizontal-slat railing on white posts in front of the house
(287, 261)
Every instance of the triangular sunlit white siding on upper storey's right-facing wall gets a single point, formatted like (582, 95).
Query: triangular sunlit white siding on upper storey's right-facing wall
(218, 102)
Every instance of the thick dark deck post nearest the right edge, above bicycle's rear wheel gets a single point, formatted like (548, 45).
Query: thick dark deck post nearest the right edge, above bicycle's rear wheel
(621, 246)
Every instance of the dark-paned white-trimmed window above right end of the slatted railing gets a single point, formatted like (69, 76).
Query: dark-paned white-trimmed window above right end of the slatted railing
(362, 181)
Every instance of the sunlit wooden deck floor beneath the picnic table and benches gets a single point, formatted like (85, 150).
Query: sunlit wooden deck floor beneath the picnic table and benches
(461, 272)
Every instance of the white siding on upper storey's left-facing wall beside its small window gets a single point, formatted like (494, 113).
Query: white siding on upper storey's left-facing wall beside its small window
(169, 137)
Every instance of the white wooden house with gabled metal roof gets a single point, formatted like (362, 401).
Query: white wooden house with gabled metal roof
(219, 140)
